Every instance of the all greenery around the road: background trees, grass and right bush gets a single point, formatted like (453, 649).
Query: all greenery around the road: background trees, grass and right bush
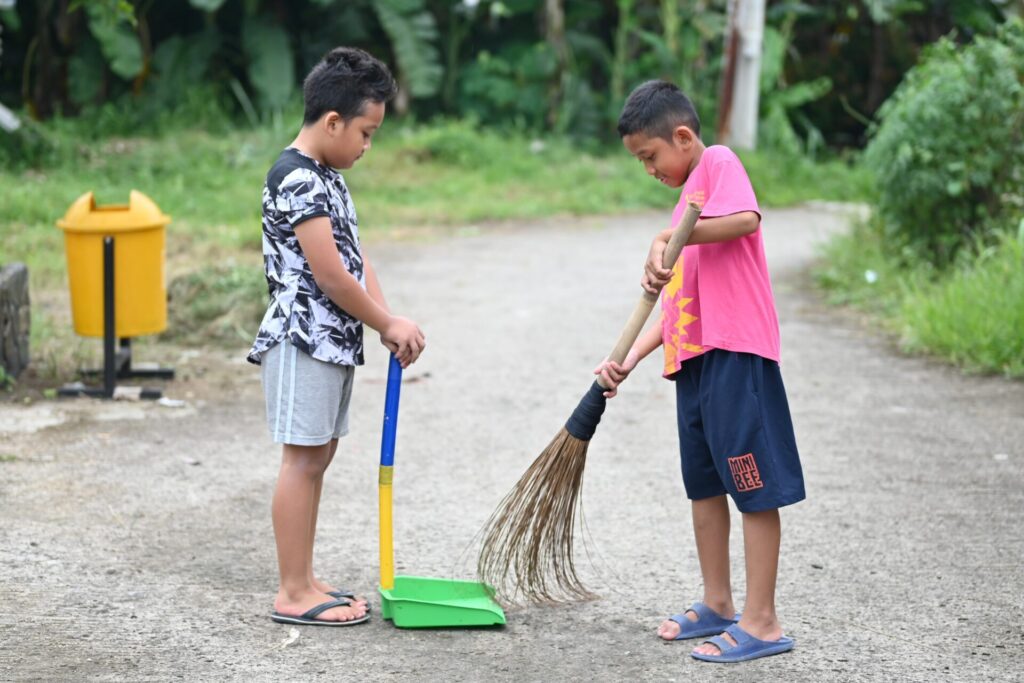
(507, 112)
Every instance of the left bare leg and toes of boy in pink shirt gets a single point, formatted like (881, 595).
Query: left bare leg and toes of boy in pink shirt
(711, 529)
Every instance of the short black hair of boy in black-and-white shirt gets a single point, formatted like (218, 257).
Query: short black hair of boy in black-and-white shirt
(345, 81)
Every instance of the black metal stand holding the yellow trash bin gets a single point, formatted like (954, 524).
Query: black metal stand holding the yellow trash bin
(117, 364)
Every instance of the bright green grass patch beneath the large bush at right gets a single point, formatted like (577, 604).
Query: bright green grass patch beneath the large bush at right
(970, 316)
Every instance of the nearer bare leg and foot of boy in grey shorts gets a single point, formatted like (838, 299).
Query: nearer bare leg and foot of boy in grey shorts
(293, 509)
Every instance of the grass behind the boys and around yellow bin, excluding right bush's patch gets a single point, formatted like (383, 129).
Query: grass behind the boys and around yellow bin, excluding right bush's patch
(209, 182)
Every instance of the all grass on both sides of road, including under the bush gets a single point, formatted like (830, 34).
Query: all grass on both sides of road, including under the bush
(456, 174)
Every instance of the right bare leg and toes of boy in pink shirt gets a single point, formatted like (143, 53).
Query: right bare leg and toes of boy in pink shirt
(762, 537)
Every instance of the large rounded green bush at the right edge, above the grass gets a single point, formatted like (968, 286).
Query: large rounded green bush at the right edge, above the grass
(950, 152)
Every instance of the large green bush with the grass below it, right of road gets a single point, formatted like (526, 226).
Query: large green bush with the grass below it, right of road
(942, 263)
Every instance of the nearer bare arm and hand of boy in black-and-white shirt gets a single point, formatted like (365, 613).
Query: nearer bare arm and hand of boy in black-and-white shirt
(402, 336)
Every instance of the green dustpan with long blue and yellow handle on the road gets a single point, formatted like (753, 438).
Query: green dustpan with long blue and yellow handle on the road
(418, 603)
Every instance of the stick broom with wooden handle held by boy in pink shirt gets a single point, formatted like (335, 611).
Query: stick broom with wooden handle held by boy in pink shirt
(528, 543)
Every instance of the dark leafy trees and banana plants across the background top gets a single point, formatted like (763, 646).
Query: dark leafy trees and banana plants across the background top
(509, 63)
